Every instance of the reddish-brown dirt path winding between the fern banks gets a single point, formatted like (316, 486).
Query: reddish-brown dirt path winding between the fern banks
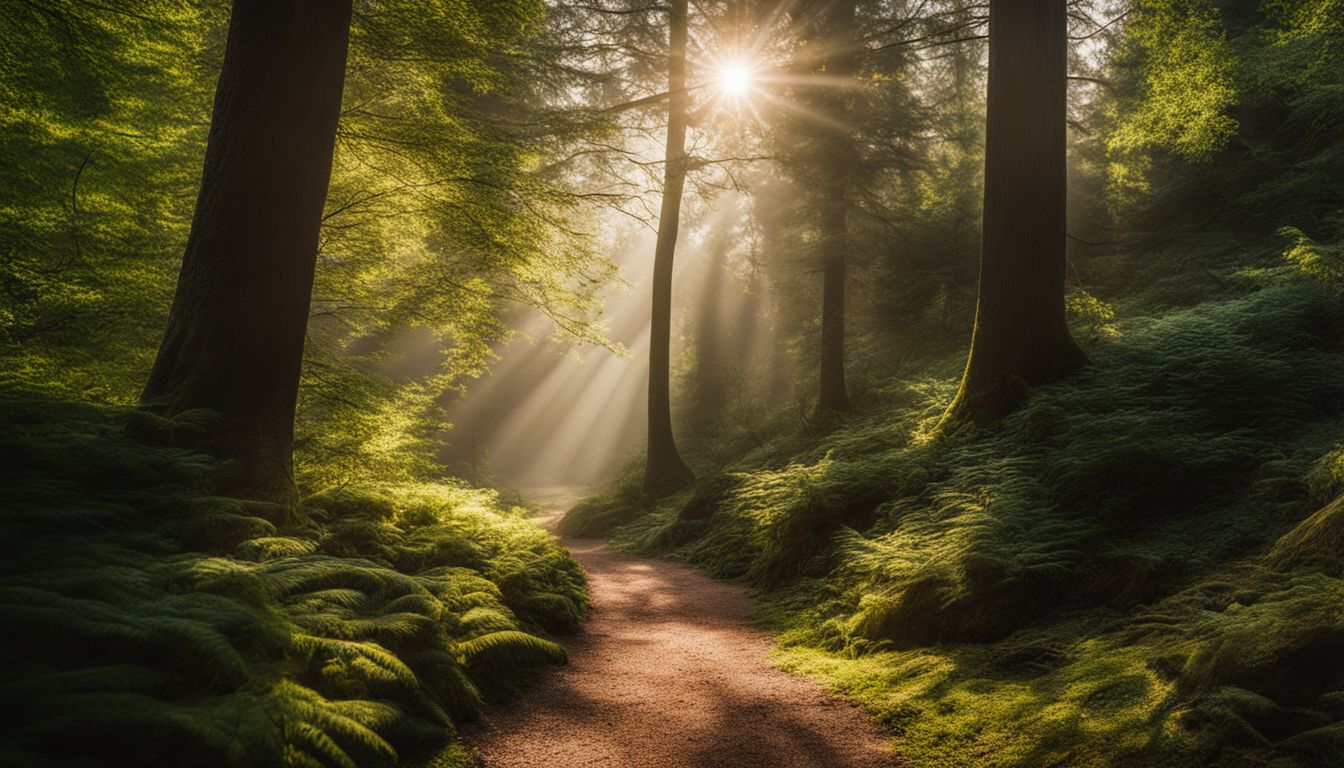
(669, 673)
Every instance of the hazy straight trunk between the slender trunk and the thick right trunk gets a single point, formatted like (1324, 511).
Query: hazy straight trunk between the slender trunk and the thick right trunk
(839, 40)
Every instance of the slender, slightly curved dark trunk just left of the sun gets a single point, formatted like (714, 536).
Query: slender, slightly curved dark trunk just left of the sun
(665, 469)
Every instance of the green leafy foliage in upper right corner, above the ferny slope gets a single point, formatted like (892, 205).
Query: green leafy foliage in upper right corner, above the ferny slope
(1249, 139)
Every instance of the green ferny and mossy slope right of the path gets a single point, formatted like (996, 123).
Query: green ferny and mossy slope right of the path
(1138, 568)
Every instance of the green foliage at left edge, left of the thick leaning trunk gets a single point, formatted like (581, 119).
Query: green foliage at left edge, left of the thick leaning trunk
(103, 124)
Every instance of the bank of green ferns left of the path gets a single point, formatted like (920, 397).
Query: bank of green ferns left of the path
(150, 623)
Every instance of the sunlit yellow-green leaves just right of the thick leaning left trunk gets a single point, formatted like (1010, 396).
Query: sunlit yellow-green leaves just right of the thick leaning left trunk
(437, 224)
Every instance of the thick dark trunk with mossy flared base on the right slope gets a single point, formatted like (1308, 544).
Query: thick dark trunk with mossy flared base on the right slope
(1021, 338)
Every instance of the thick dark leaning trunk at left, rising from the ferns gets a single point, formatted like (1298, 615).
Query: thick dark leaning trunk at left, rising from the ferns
(235, 342)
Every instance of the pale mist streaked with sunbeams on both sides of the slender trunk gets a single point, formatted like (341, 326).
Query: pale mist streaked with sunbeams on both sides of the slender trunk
(557, 412)
